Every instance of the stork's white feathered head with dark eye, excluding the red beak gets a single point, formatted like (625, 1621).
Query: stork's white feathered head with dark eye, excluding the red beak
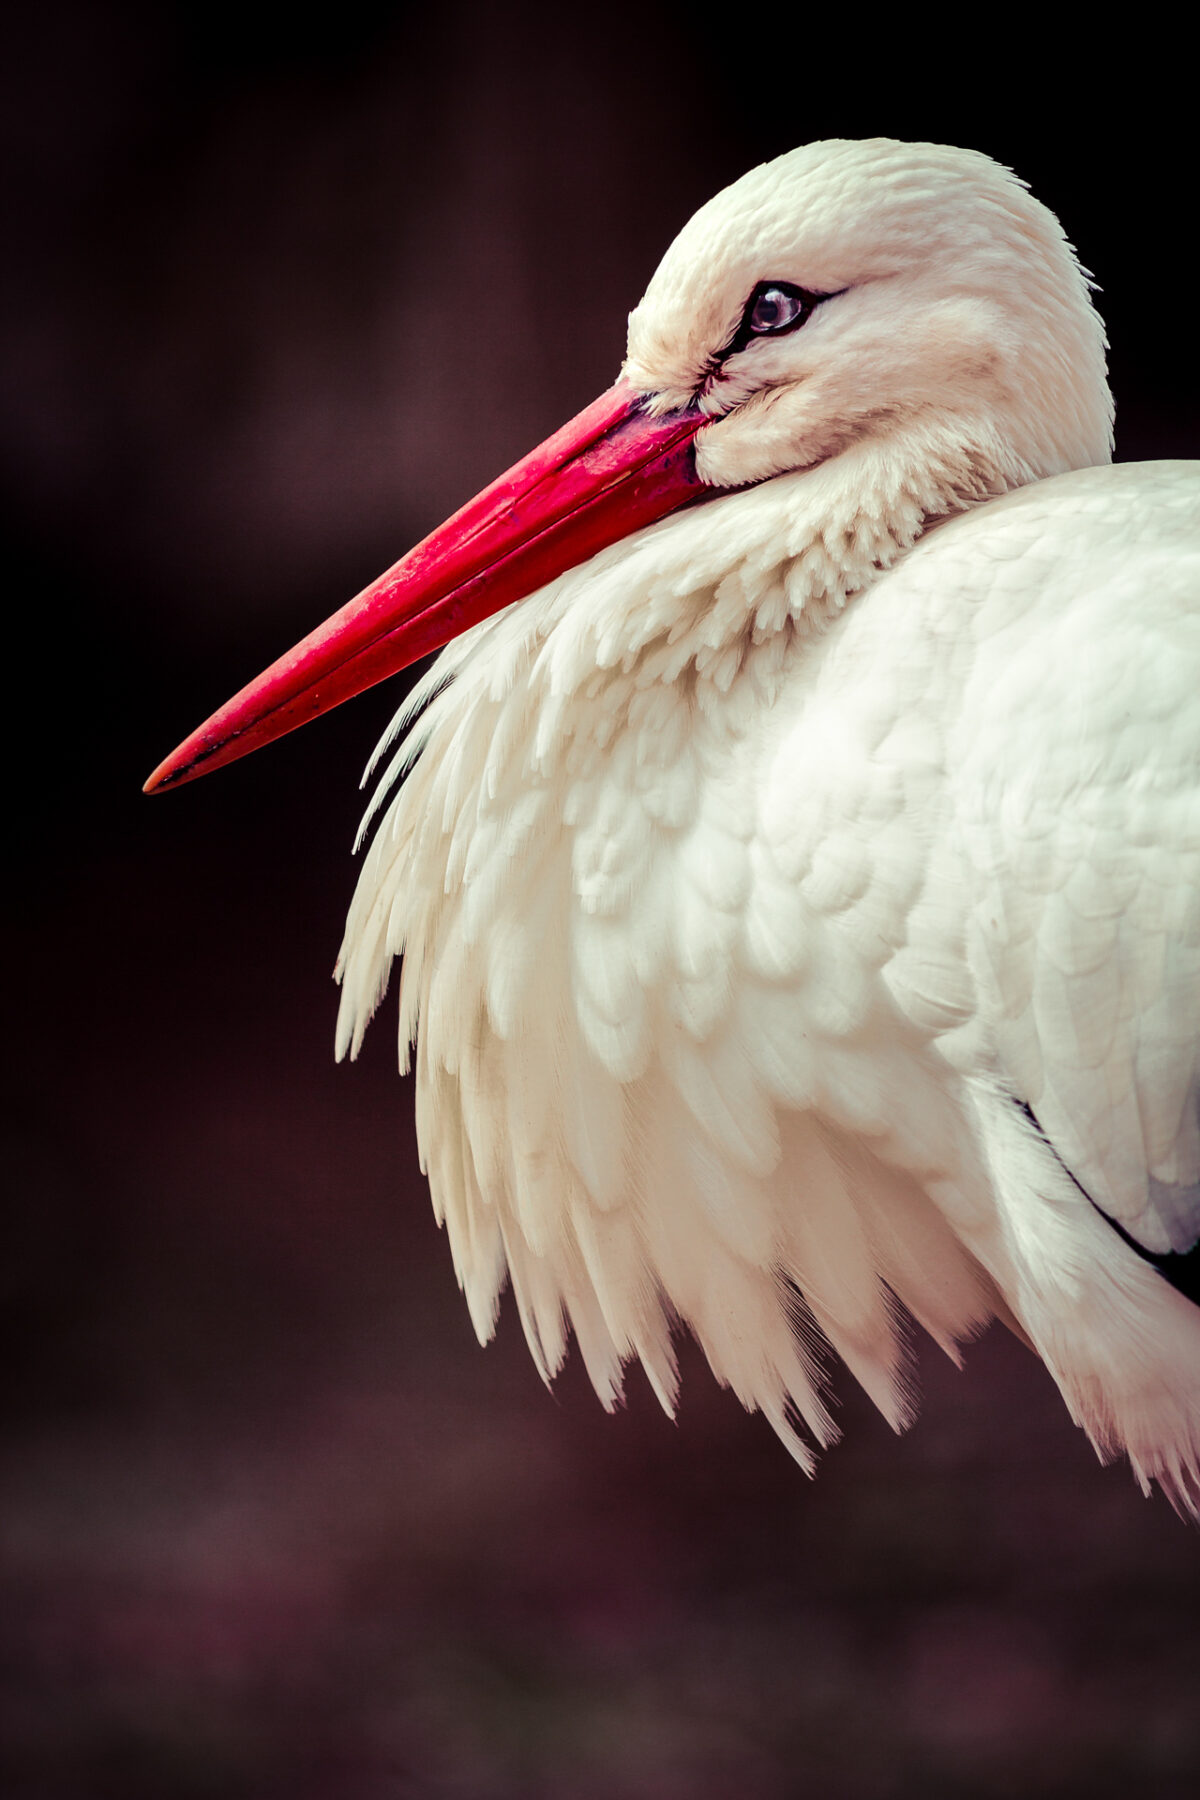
(875, 291)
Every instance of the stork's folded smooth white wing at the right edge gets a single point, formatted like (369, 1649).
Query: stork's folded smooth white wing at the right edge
(1079, 798)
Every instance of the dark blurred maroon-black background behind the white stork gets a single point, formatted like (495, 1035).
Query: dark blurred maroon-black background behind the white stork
(278, 298)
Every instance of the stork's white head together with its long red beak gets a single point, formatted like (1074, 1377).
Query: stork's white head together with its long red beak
(906, 296)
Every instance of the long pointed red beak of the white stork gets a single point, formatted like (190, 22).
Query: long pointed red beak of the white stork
(604, 476)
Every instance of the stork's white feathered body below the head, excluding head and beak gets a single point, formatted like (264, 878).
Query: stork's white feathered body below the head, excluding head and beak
(730, 962)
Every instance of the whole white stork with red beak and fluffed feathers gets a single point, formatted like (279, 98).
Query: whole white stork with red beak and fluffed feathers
(800, 894)
